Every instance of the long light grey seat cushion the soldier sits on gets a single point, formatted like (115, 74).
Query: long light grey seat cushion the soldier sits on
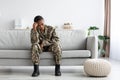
(27, 54)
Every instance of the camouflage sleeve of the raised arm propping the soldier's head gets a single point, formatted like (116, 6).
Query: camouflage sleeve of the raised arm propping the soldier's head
(34, 37)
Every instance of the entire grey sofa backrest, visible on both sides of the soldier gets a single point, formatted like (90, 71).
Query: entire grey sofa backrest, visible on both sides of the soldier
(20, 39)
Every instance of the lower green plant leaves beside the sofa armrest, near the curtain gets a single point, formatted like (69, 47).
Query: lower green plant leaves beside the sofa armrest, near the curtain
(101, 49)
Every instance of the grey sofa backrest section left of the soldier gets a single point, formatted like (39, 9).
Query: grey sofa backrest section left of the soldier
(14, 39)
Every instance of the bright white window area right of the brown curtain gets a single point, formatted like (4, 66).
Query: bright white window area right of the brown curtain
(115, 30)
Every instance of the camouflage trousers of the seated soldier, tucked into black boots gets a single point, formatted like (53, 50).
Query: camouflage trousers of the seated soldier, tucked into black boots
(54, 48)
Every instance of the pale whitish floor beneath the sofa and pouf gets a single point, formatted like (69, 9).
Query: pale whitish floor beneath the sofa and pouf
(47, 73)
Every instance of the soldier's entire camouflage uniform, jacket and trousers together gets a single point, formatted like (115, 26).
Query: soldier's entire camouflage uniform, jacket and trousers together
(50, 42)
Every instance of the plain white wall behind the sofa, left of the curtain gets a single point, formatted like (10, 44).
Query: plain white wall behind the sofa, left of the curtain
(82, 13)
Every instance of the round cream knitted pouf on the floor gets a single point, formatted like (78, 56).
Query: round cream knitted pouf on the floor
(97, 67)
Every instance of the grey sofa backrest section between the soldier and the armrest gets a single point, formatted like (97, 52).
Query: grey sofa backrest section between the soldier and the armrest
(72, 39)
